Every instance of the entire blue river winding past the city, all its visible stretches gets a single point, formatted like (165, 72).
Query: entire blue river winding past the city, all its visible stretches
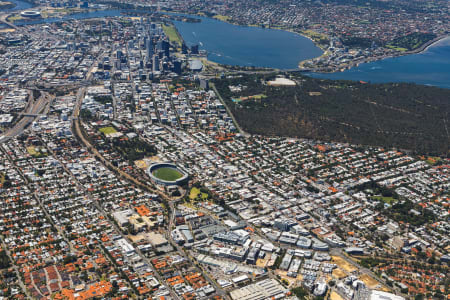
(254, 46)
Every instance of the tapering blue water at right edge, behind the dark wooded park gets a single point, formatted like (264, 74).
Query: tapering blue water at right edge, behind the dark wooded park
(431, 67)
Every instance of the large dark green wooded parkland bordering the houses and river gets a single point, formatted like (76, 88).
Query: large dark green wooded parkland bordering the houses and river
(405, 116)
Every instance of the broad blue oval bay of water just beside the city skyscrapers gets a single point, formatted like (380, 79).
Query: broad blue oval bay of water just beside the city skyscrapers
(247, 46)
